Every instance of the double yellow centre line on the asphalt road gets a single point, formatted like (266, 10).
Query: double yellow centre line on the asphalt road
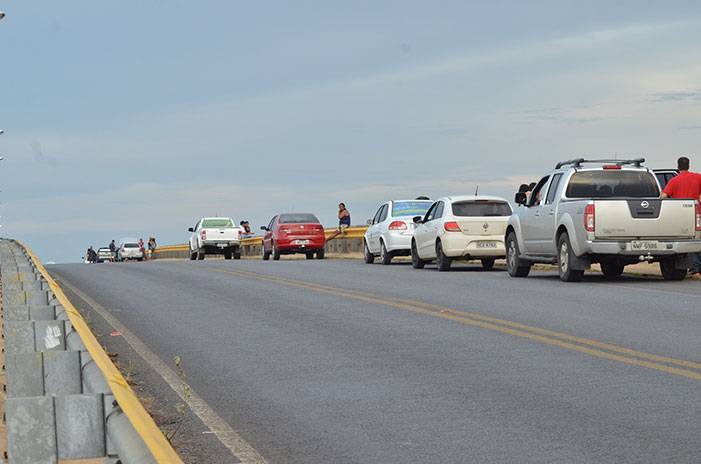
(549, 337)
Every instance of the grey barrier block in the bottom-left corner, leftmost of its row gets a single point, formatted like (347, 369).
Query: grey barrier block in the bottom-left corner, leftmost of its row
(31, 430)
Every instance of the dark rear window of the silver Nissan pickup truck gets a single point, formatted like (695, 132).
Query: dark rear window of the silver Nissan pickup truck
(608, 183)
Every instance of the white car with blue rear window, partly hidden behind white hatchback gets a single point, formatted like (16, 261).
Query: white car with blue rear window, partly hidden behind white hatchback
(390, 231)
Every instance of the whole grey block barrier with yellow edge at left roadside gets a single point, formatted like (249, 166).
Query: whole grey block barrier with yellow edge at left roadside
(65, 398)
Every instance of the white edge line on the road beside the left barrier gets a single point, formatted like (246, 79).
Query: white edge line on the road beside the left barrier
(239, 447)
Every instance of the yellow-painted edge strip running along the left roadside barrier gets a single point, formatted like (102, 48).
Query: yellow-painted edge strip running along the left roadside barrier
(142, 421)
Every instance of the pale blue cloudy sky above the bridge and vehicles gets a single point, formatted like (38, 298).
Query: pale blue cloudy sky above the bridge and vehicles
(136, 118)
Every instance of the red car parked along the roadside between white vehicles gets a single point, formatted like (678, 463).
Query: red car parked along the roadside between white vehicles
(290, 233)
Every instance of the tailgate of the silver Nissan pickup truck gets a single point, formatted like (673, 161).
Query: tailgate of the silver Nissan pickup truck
(644, 218)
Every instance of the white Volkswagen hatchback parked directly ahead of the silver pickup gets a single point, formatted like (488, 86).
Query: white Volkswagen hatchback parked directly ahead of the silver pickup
(461, 228)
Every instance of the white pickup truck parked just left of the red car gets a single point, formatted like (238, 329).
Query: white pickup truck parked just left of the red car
(215, 236)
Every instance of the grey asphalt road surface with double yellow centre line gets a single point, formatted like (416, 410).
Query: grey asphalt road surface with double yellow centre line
(337, 361)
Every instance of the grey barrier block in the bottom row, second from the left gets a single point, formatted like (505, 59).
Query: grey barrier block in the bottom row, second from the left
(80, 426)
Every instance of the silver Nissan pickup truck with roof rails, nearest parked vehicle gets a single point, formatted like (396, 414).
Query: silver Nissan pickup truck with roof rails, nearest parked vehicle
(601, 211)
